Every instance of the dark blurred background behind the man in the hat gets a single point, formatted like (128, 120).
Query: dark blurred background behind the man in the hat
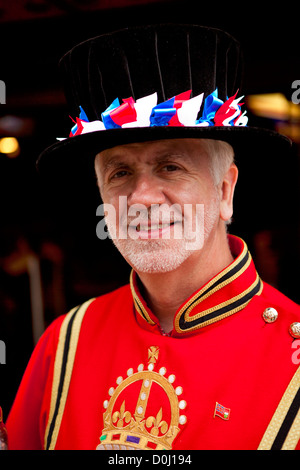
(50, 257)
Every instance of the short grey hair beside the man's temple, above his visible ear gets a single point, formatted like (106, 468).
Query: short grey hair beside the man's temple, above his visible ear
(221, 157)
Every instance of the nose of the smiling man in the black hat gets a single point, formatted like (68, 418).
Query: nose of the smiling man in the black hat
(146, 190)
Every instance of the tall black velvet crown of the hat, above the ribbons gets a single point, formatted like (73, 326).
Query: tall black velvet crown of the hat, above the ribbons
(166, 59)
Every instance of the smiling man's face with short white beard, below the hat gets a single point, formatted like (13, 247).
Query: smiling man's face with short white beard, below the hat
(166, 205)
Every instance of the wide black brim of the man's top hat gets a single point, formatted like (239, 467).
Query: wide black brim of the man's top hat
(76, 154)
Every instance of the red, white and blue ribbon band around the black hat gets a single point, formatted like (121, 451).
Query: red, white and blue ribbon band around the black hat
(180, 111)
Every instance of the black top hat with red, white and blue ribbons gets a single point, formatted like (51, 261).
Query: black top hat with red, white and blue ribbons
(161, 61)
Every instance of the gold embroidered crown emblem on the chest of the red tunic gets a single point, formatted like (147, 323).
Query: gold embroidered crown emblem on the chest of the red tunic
(144, 409)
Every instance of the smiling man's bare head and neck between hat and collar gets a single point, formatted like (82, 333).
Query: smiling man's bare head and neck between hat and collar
(167, 173)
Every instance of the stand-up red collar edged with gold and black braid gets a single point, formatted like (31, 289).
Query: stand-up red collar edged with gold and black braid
(225, 294)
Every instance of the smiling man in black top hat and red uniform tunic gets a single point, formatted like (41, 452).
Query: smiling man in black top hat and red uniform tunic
(197, 352)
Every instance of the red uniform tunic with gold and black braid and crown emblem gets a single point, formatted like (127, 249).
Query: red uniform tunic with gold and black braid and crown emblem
(214, 382)
